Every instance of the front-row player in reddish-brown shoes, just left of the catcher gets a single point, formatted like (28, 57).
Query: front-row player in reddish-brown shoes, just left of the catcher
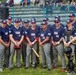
(58, 48)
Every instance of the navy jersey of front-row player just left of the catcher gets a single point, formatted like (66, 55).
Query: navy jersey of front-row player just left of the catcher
(57, 34)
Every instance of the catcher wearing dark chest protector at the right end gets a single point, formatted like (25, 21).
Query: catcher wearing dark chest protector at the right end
(69, 32)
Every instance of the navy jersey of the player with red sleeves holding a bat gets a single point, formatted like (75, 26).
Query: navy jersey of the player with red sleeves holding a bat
(33, 34)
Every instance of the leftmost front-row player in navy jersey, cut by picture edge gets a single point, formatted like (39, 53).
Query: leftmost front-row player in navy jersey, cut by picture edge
(4, 43)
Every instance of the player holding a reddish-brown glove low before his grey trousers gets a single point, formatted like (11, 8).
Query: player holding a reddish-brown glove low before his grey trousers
(16, 37)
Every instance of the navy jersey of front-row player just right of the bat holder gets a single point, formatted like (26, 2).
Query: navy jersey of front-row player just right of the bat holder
(45, 33)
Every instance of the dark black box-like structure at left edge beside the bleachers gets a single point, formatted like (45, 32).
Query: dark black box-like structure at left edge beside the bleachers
(4, 12)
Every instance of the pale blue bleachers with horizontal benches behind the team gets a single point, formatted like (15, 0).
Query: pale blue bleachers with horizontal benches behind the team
(27, 12)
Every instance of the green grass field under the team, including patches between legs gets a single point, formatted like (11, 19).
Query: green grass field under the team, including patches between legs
(31, 71)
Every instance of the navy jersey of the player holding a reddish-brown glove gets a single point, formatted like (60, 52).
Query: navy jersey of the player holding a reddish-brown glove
(17, 33)
